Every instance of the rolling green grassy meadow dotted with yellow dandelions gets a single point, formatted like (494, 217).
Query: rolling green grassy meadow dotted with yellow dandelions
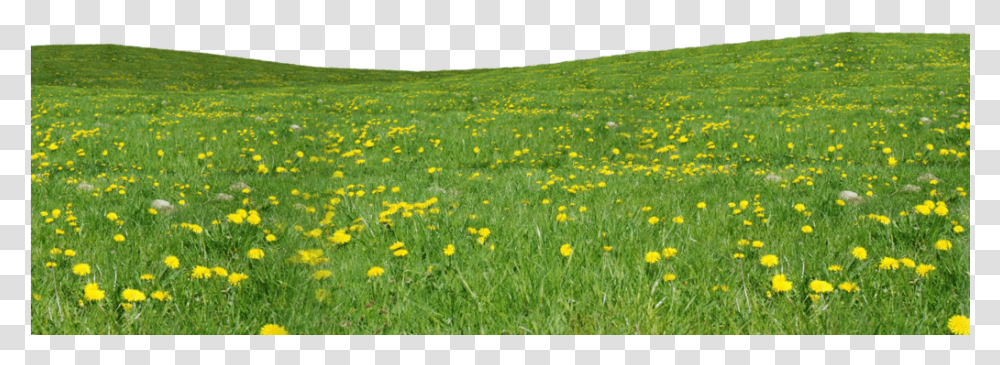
(690, 191)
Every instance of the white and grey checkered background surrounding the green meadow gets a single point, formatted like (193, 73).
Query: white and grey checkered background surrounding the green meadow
(443, 34)
